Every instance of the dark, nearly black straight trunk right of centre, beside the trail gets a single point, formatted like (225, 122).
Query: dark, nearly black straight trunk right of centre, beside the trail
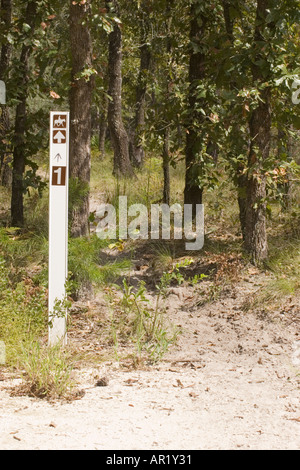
(193, 191)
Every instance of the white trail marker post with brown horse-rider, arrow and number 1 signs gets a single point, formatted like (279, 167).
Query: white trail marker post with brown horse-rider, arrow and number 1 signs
(58, 224)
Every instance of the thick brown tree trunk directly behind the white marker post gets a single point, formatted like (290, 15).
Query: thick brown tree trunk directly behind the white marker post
(80, 116)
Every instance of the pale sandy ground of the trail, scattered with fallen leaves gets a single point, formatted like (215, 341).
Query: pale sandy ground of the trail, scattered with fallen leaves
(231, 382)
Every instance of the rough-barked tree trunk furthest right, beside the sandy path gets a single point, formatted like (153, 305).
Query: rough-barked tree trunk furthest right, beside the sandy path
(260, 132)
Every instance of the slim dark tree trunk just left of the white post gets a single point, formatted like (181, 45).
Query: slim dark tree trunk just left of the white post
(19, 158)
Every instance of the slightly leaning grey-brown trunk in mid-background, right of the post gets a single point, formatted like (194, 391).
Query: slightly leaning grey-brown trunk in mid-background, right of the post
(118, 134)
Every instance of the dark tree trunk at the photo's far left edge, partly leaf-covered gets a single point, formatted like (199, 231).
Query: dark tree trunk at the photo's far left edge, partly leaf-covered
(5, 151)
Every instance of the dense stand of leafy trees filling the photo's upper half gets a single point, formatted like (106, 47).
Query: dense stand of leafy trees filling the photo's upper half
(210, 82)
